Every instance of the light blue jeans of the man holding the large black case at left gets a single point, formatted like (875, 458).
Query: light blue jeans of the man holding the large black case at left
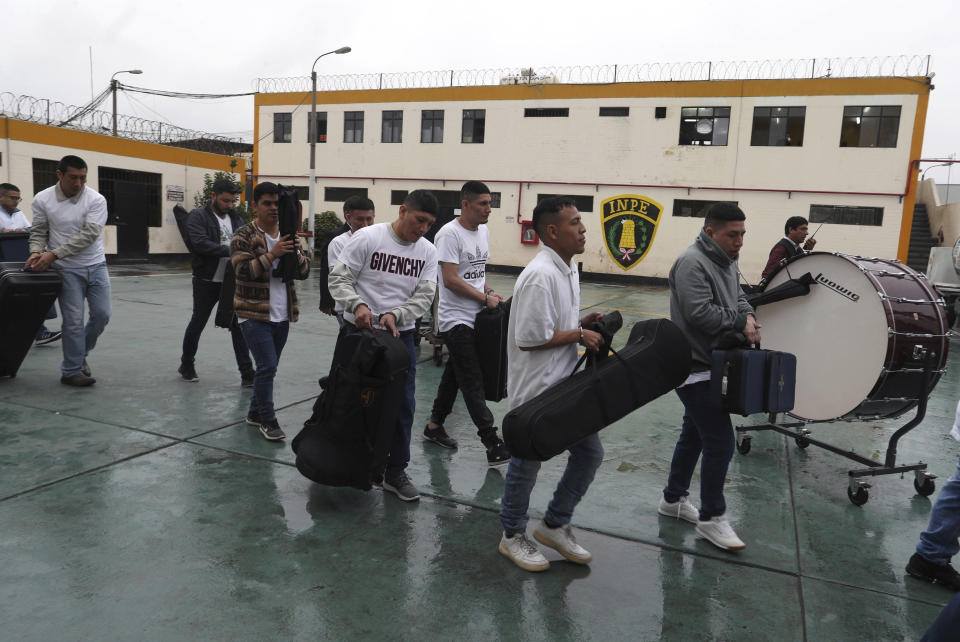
(91, 283)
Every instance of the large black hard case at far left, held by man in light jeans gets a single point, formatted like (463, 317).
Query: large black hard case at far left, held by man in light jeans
(25, 299)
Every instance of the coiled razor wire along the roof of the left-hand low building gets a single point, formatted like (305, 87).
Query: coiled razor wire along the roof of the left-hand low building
(48, 112)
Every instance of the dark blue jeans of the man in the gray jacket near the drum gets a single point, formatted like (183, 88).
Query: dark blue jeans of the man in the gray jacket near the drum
(706, 430)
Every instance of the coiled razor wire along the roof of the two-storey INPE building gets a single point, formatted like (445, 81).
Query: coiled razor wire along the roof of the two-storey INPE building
(777, 69)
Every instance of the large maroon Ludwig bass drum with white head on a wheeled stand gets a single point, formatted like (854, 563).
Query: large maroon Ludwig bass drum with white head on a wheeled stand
(860, 335)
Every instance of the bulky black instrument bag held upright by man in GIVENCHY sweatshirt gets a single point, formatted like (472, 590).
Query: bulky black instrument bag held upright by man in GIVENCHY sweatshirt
(347, 438)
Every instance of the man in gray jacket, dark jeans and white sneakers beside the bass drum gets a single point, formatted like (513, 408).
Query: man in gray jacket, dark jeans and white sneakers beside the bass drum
(706, 301)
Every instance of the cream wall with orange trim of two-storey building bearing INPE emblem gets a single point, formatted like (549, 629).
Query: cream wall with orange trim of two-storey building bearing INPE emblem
(585, 154)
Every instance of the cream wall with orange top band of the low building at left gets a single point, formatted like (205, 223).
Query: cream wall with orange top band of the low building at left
(179, 173)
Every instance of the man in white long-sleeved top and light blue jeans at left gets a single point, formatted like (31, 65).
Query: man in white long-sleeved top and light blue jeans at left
(68, 221)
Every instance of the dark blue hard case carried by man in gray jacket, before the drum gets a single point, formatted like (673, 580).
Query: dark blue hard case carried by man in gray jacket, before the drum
(748, 382)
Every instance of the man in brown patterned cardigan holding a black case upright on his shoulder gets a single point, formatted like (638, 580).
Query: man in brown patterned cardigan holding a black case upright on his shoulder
(264, 303)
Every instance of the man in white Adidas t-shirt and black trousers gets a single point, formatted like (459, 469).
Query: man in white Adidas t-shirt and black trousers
(463, 247)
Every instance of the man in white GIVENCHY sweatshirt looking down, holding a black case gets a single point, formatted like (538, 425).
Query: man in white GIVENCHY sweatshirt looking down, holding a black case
(386, 277)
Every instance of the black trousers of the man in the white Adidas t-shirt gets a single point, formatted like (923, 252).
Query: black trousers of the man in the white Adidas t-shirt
(463, 373)
